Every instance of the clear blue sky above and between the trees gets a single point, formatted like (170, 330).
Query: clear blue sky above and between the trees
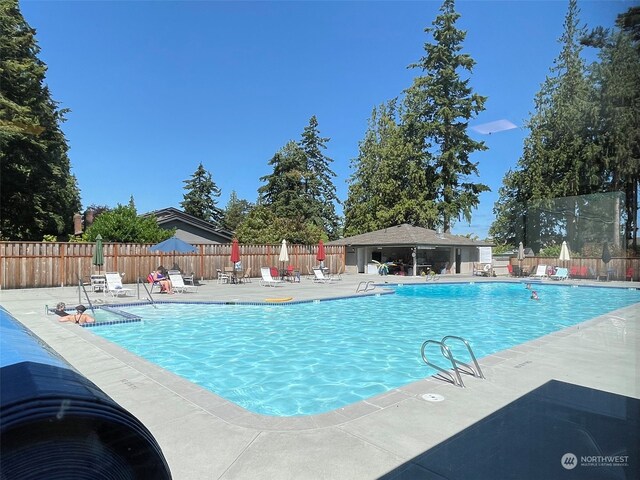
(157, 87)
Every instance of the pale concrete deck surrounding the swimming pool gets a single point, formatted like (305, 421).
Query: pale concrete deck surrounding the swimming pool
(203, 436)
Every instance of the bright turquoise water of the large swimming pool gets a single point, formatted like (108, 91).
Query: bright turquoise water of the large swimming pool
(315, 357)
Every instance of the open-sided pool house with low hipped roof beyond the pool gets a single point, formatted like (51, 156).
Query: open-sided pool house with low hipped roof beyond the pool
(412, 251)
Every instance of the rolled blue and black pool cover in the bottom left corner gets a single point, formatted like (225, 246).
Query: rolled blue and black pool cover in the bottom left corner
(56, 424)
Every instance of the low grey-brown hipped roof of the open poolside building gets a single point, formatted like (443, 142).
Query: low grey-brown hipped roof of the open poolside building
(408, 235)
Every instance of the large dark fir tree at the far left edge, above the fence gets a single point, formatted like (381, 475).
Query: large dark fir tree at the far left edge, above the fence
(38, 193)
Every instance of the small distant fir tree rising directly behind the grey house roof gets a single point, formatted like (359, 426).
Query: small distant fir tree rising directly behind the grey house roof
(200, 199)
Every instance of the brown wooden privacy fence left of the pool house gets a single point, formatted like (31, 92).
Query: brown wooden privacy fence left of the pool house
(54, 264)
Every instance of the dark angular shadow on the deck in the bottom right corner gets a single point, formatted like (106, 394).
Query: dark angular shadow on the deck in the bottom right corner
(572, 432)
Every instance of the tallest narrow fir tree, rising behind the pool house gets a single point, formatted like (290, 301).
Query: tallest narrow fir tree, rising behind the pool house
(438, 107)
